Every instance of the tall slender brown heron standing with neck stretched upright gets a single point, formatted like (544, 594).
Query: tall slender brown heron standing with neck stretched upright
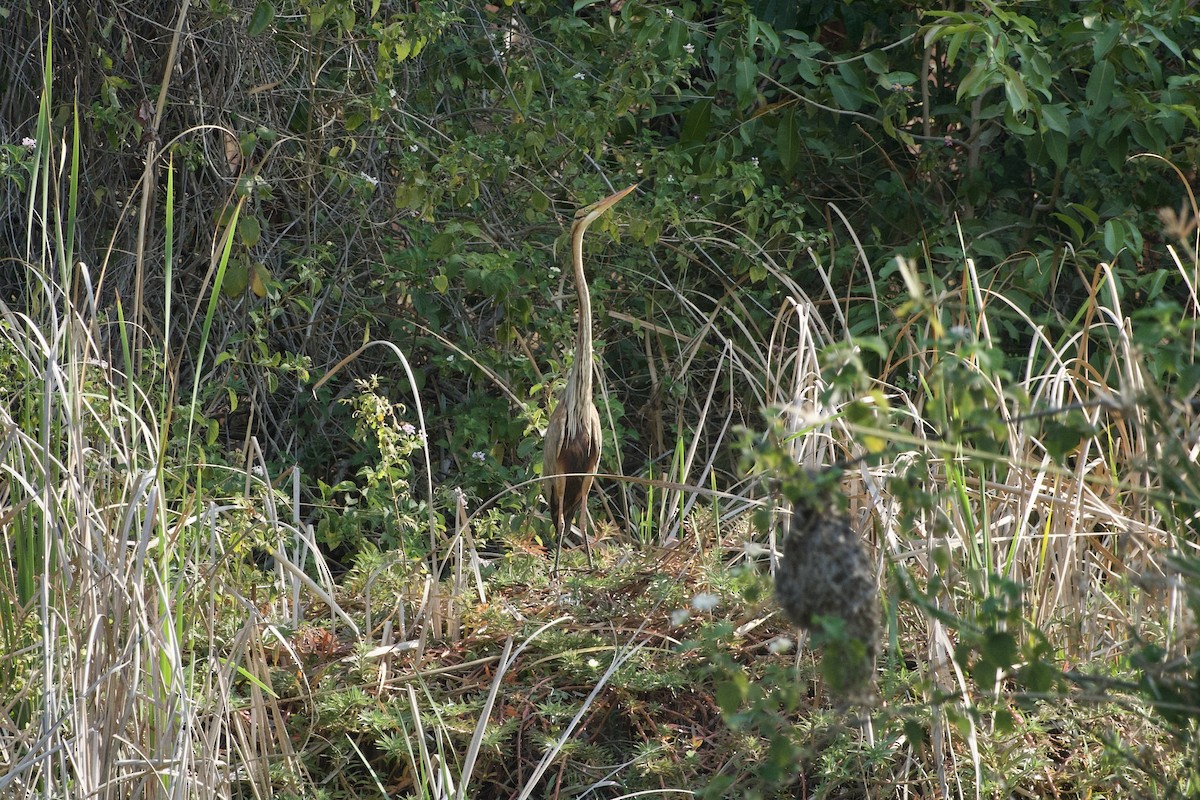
(573, 437)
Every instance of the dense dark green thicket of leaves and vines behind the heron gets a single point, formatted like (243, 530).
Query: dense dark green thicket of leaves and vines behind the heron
(407, 171)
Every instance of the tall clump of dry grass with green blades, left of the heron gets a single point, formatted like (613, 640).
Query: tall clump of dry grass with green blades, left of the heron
(133, 660)
